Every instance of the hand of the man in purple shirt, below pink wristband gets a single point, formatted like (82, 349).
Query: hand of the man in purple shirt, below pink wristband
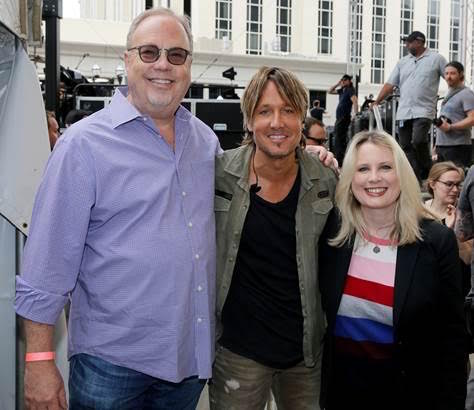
(44, 386)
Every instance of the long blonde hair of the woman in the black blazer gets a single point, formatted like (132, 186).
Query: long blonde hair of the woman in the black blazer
(409, 209)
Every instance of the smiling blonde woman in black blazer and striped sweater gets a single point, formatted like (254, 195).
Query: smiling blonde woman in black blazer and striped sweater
(391, 288)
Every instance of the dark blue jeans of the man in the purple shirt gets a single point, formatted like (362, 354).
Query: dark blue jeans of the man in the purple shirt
(97, 384)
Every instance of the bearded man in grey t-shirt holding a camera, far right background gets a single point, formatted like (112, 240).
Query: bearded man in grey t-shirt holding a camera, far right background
(453, 140)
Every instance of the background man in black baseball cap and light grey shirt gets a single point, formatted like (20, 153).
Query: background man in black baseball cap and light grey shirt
(417, 76)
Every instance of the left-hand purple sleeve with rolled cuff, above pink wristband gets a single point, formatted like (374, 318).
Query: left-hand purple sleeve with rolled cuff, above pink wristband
(58, 232)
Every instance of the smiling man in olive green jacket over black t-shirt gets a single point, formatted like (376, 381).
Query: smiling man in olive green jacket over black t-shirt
(271, 204)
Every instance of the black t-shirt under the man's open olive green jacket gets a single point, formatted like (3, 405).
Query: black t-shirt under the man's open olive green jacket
(262, 316)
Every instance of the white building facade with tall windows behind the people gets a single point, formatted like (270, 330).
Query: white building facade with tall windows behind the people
(319, 40)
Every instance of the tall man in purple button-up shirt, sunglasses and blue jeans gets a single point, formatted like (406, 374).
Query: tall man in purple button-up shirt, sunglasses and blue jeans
(123, 225)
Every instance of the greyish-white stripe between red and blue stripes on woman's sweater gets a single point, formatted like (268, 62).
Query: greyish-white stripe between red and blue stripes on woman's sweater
(358, 308)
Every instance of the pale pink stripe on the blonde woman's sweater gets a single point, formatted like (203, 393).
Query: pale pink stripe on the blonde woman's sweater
(372, 270)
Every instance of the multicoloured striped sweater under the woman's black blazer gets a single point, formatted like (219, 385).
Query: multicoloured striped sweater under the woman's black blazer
(364, 322)
